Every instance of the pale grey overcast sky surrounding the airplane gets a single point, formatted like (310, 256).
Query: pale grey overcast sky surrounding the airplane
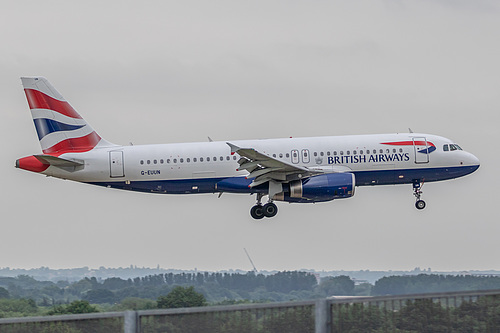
(179, 71)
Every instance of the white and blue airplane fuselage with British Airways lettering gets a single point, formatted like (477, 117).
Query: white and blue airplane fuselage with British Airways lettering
(197, 167)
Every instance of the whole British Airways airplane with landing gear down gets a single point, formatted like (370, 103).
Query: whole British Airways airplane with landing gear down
(293, 170)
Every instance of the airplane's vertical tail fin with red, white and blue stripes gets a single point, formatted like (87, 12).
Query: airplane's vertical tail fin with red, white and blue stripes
(59, 127)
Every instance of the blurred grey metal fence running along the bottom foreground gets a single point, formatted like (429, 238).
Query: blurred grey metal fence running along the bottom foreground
(440, 312)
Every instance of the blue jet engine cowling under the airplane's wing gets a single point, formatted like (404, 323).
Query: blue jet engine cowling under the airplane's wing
(319, 188)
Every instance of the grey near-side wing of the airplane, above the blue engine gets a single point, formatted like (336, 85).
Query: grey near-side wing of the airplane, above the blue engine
(265, 168)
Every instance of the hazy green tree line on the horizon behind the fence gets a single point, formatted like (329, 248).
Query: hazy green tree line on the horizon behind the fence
(24, 295)
